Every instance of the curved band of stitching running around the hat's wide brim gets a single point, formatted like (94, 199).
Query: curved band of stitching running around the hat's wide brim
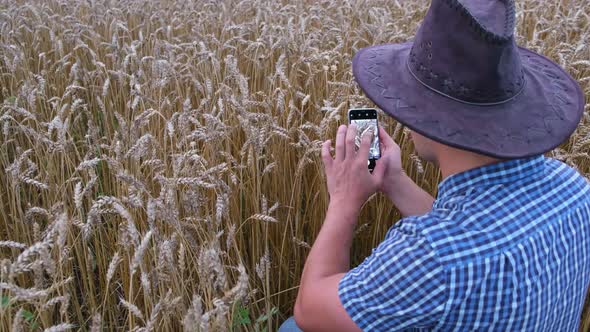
(521, 137)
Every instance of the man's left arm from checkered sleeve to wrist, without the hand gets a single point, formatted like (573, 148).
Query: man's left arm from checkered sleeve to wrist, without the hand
(399, 285)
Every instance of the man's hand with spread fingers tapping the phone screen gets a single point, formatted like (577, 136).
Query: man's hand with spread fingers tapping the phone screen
(348, 177)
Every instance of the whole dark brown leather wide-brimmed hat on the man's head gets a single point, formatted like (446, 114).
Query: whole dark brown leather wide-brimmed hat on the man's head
(464, 82)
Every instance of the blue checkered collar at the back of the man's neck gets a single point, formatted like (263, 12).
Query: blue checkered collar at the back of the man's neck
(501, 172)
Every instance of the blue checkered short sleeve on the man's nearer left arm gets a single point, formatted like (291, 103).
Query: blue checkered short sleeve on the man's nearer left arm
(401, 285)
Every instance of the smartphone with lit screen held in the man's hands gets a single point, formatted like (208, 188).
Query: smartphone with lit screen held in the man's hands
(366, 119)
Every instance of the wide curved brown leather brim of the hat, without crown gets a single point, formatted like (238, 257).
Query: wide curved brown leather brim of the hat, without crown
(540, 118)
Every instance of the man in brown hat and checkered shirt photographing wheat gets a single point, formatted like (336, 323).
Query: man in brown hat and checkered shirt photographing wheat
(505, 245)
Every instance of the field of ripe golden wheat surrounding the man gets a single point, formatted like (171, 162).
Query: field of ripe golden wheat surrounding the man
(159, 160)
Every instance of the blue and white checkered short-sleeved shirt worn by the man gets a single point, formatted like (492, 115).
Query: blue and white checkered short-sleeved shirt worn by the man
(506, 247)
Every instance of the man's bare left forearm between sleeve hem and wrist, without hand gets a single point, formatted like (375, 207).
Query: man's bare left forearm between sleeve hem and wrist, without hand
(318, 306)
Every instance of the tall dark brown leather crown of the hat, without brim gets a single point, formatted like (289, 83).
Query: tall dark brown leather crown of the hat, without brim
(466, 51)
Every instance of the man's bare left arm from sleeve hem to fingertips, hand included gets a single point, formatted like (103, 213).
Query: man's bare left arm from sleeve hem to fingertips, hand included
(318, 306)
